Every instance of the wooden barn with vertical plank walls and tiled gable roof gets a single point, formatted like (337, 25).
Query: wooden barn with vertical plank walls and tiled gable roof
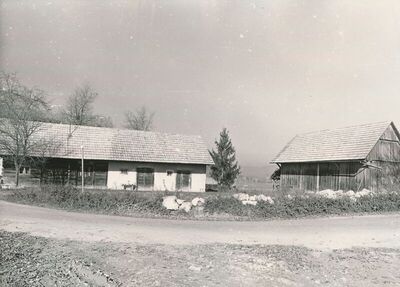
(350, 158)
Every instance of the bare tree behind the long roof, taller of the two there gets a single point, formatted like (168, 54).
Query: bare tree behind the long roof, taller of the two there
(80, 105)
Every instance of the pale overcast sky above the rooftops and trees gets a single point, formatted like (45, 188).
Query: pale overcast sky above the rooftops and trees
(266, 70)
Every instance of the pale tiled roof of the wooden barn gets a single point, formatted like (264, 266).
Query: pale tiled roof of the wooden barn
(348, 143)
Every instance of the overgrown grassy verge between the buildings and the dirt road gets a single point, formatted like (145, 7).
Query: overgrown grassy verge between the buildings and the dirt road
(216, 205)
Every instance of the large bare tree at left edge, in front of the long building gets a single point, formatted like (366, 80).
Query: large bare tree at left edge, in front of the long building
(21, 110)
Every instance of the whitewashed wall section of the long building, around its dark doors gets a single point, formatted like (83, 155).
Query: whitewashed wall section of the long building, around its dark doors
(162, 181)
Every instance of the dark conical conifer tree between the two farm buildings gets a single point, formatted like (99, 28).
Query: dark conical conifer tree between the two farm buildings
(226, 168)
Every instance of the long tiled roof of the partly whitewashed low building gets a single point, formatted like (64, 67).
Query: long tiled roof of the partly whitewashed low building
(125, 145)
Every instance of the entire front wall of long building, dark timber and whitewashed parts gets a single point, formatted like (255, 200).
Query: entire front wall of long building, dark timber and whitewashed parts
(100, 174)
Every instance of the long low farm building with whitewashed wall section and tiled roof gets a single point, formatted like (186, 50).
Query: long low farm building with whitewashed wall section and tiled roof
(118, 159)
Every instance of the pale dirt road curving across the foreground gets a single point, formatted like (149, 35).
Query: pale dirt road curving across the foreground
(322, 233)
